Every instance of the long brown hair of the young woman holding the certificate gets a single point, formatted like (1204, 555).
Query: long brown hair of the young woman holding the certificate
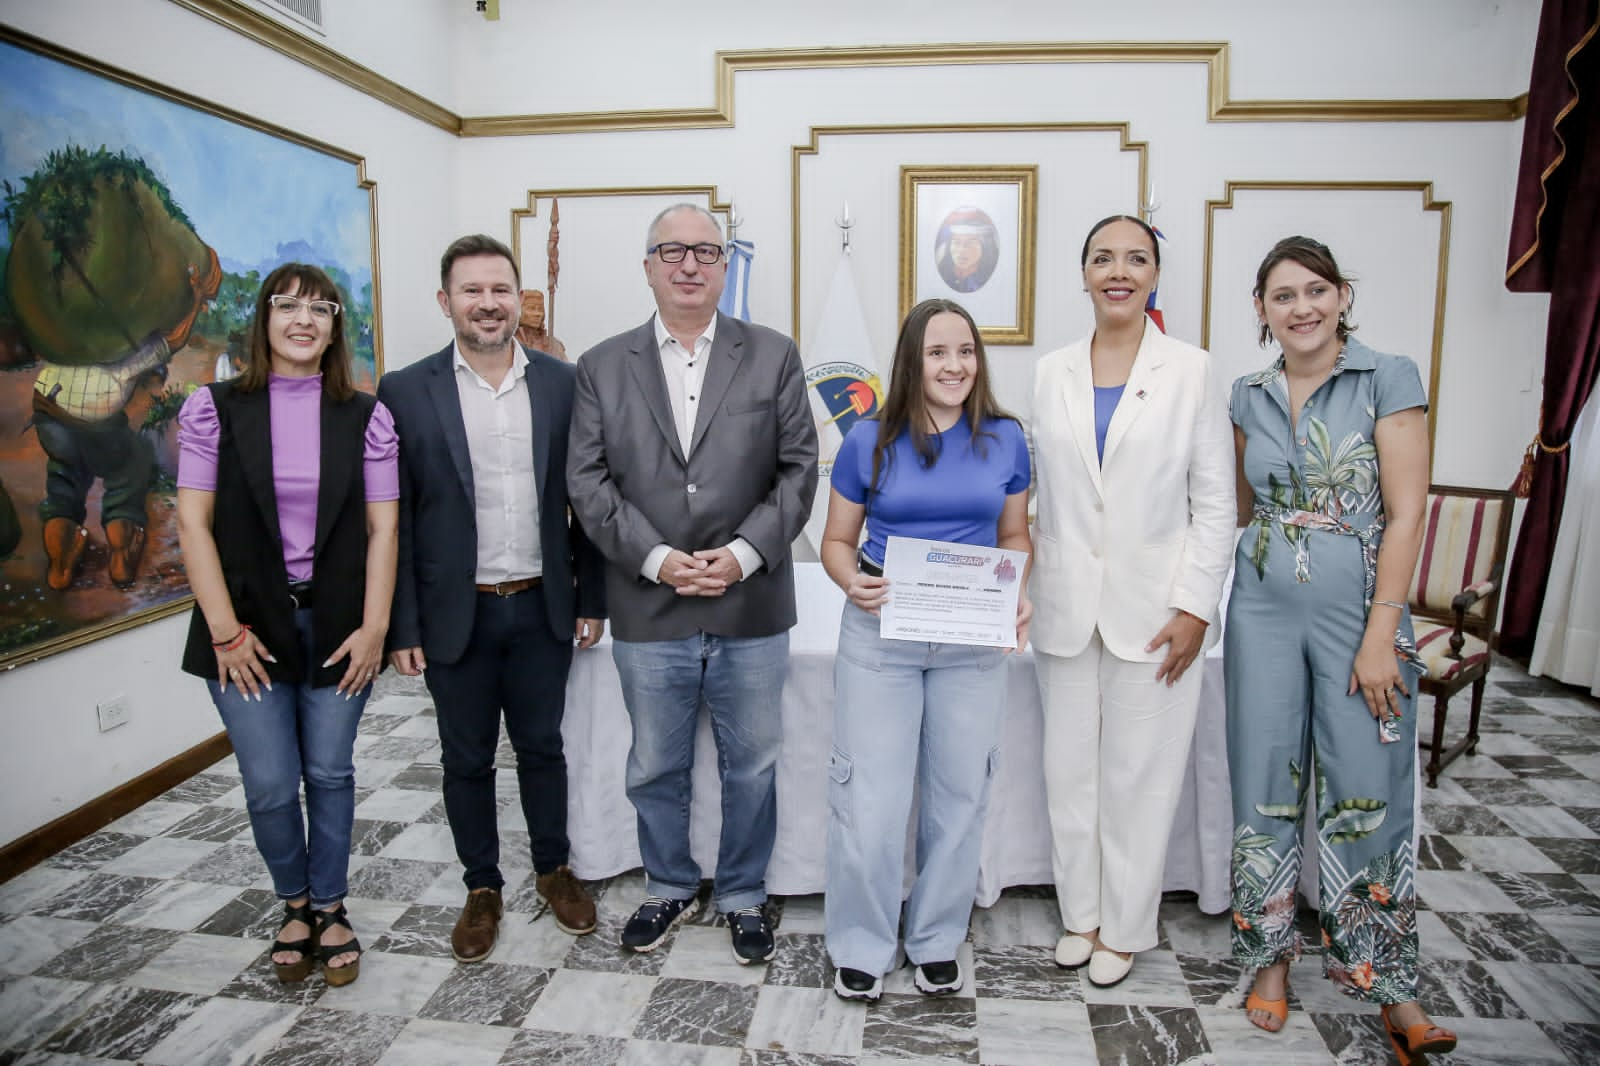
(906, 406)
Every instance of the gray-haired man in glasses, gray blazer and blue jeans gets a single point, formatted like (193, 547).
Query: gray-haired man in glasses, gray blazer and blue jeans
(692, 467)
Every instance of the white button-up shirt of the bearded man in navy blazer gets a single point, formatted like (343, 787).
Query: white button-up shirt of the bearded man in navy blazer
(500, 441)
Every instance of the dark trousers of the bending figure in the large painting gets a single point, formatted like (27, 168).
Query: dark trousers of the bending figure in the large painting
(78, 455)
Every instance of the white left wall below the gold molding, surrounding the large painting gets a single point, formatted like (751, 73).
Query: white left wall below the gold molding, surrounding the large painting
(52, 755)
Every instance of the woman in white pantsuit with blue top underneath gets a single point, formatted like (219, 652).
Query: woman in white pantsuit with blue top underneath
(1134, 543)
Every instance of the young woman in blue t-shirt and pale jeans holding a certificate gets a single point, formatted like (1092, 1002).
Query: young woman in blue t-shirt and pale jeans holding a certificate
(942, 462)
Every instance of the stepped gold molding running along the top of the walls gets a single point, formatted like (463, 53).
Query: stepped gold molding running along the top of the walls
(260, 28)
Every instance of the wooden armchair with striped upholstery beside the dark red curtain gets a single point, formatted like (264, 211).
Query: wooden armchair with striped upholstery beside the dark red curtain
(1455, 599)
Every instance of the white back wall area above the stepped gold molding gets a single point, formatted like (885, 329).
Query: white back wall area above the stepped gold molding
(575, 55)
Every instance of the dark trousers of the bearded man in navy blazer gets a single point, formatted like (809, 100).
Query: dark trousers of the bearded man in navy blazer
(514, 663)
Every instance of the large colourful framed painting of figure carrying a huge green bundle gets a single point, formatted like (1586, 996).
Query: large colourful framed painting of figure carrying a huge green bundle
(135, 230)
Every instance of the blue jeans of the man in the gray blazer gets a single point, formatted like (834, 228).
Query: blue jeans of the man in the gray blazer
(742, 681)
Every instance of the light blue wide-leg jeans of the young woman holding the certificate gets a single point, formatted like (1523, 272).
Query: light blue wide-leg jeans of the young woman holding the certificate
(908, 716)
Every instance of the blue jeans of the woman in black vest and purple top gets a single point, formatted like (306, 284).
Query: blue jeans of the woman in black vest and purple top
(298, 734)
